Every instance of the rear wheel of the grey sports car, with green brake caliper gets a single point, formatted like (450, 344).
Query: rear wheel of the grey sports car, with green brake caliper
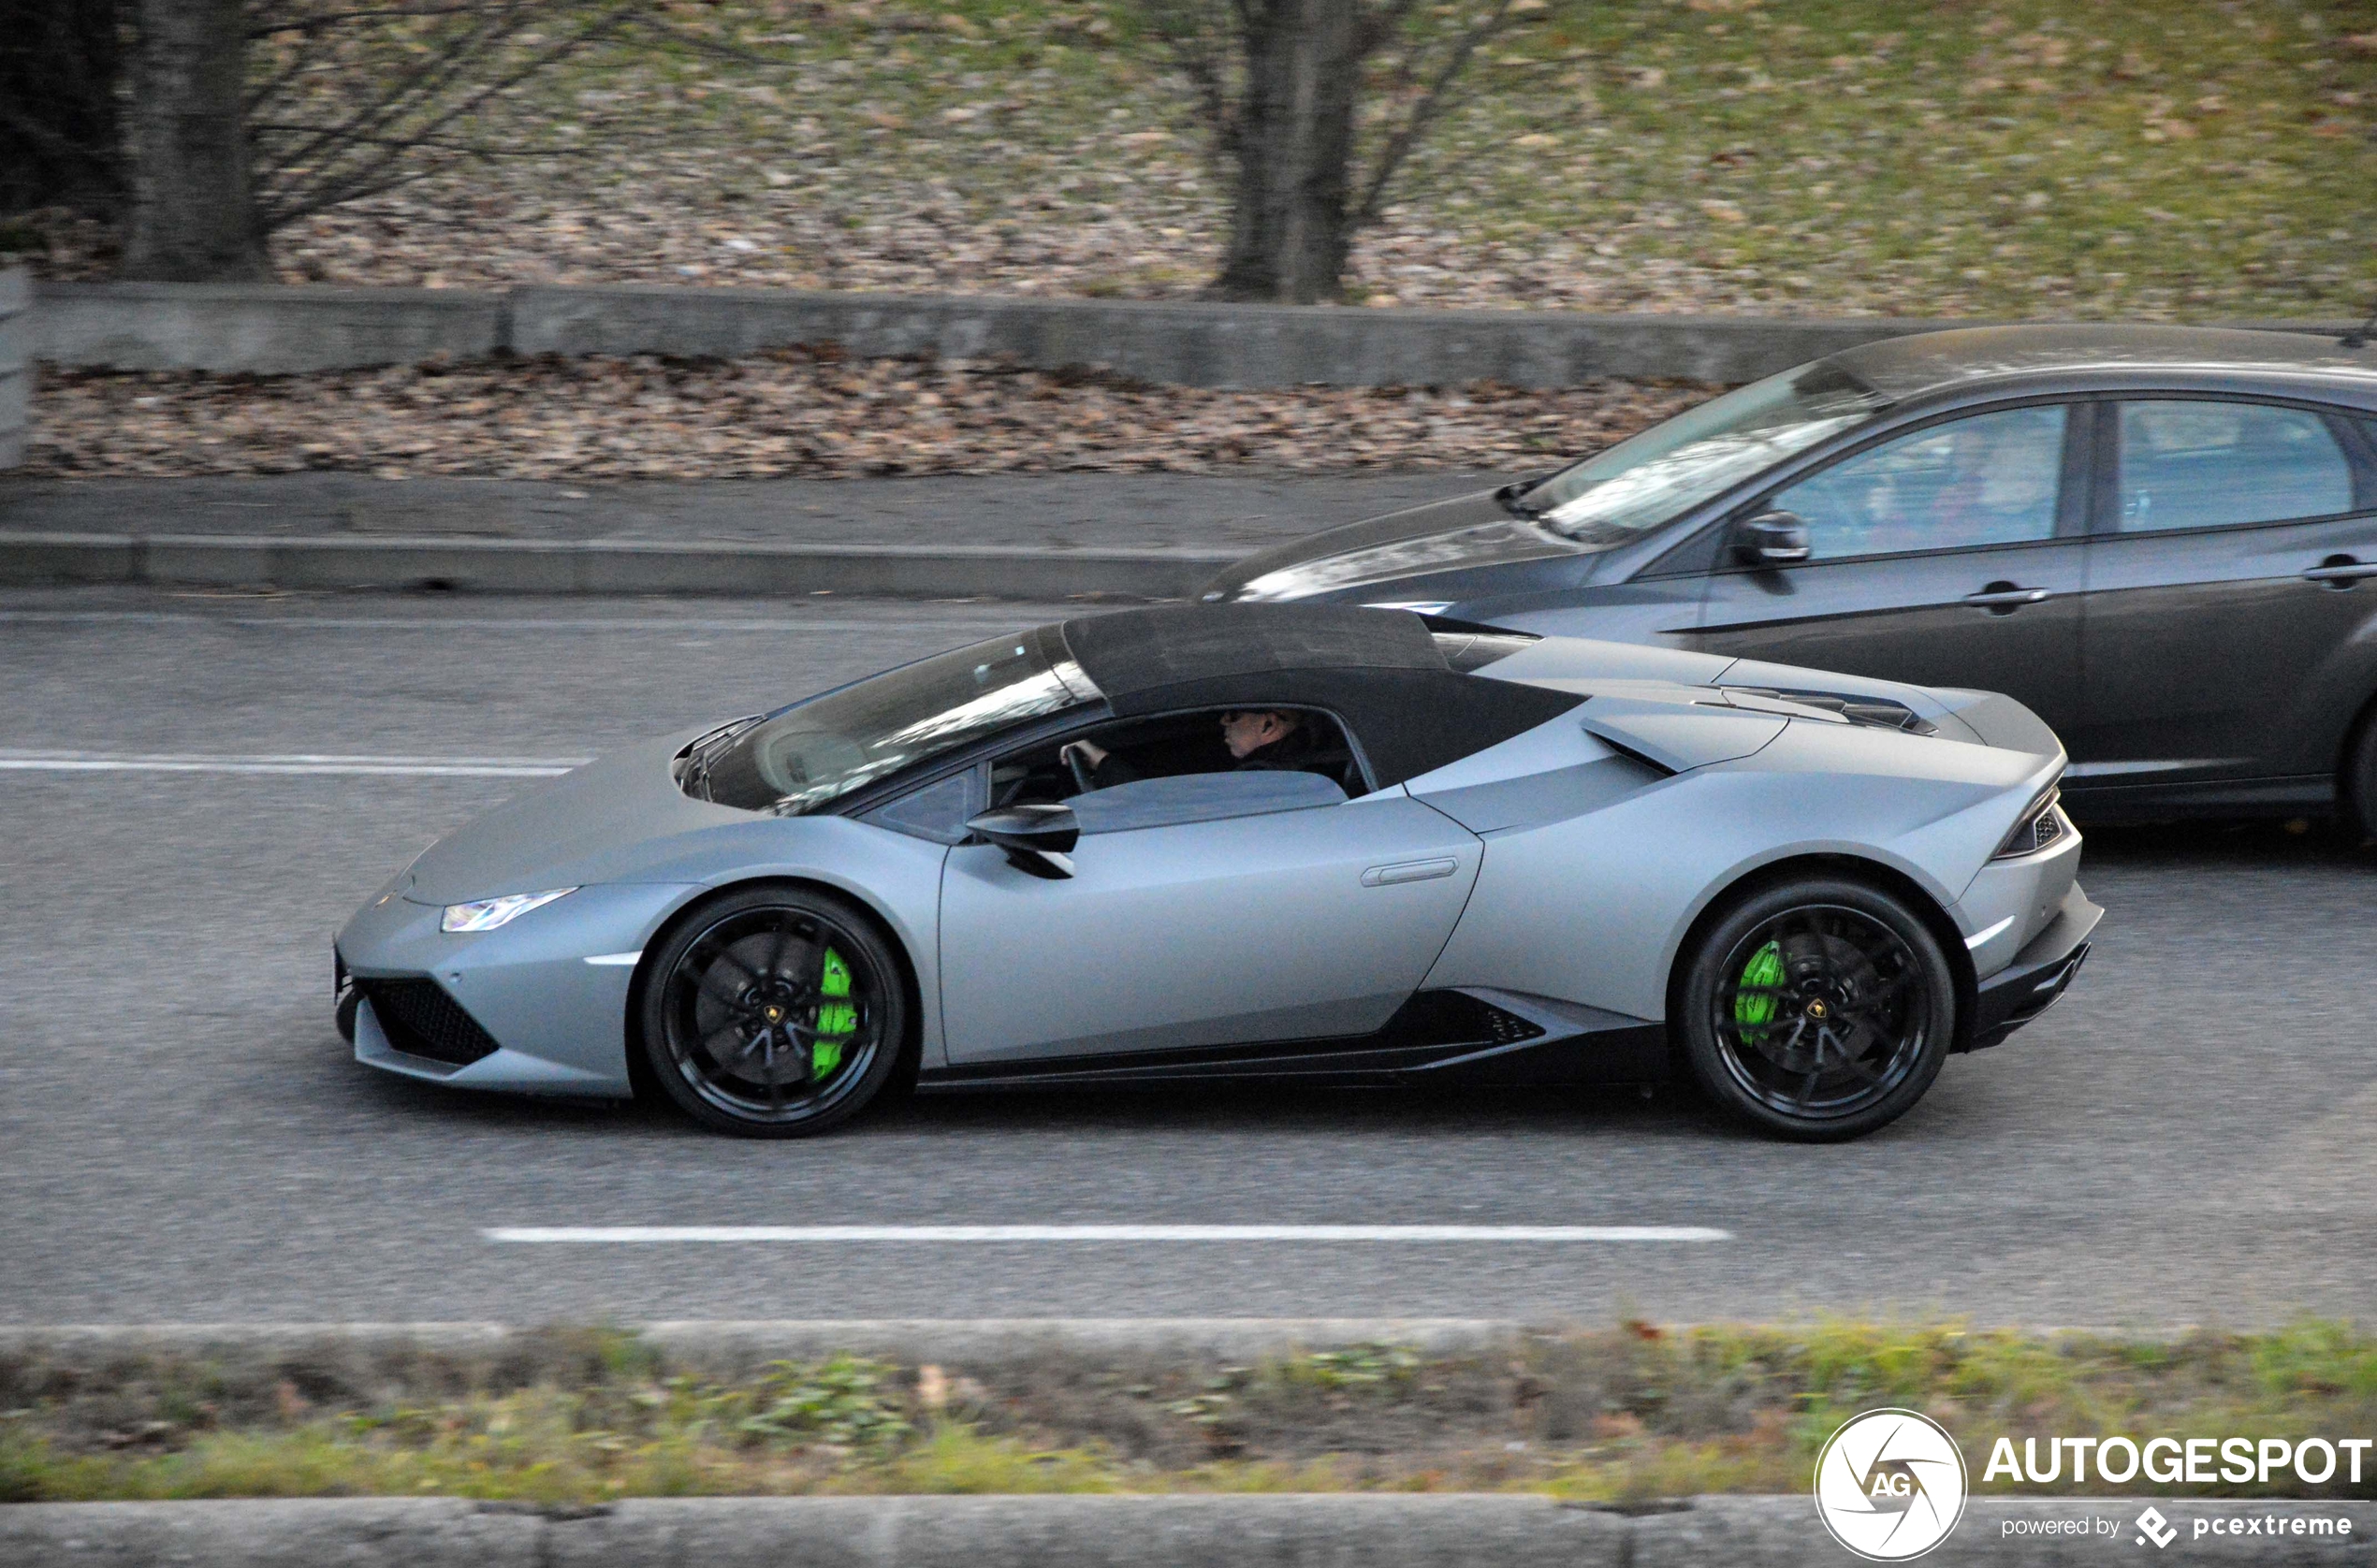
(1817, 1009)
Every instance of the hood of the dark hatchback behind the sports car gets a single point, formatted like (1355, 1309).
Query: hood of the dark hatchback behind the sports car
(1449, 536)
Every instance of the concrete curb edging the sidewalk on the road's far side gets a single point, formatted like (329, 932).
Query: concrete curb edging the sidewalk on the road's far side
(610, 567)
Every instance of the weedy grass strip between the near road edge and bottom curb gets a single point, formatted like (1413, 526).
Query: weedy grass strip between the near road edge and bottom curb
(1594, 1417)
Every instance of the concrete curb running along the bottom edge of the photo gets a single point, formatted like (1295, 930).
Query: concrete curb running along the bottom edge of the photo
(1278, 1531)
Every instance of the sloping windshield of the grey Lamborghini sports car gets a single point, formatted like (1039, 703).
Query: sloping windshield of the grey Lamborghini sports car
(812, 754)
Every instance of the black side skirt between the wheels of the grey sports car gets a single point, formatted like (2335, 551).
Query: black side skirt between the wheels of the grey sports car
(1451, 1037)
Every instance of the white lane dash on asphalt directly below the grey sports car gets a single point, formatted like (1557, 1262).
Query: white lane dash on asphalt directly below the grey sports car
(1104, 1234)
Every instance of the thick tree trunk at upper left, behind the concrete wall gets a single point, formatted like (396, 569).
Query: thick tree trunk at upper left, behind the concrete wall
(194, 210)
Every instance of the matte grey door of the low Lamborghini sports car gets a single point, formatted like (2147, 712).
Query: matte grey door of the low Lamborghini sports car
(1280, 925)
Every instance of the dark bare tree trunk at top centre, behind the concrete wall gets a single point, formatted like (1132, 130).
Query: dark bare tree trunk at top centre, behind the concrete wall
(1294, 146)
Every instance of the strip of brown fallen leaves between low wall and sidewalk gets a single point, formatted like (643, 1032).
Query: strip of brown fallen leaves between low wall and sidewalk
(793, 415)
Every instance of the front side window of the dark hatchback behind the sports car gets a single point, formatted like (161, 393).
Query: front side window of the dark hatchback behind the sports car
(1991, 479)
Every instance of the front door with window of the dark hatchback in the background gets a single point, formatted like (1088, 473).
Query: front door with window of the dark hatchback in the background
(1950, 555)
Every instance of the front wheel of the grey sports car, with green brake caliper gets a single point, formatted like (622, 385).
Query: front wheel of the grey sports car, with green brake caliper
(776, 1013)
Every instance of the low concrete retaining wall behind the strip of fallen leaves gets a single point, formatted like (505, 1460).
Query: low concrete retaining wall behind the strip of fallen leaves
(275, 329)
